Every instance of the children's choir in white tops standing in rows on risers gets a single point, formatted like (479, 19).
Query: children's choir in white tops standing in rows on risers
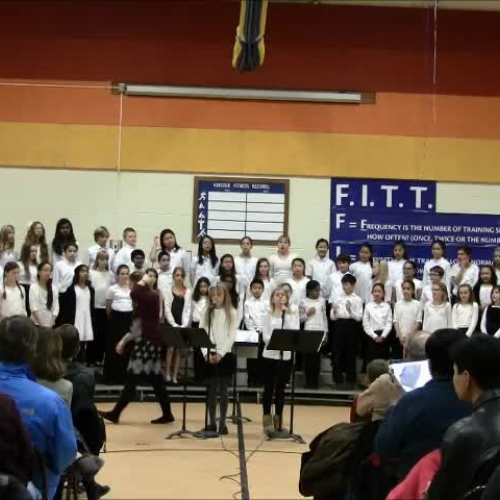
(369, 308)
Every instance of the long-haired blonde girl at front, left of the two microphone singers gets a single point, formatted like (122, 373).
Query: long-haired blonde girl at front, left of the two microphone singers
(220, 323)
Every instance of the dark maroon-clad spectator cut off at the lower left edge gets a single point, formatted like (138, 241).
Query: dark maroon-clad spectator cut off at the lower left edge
(16, 452)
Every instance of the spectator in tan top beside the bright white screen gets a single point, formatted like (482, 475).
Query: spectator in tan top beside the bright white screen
(383, 392)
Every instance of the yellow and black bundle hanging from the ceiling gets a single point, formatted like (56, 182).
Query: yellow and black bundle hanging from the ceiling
(249, 48)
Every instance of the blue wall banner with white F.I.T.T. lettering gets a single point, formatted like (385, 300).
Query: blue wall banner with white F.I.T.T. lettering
(404, 210)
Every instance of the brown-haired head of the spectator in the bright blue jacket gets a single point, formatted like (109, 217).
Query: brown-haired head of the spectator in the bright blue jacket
(18, 336)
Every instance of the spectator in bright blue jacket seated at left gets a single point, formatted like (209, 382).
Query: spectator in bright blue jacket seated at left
(46, 417)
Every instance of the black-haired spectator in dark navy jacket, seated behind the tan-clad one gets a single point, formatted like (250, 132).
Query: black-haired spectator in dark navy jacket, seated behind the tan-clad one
(417, 423)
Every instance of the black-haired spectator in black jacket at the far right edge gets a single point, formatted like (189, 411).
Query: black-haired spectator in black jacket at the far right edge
(477, 381)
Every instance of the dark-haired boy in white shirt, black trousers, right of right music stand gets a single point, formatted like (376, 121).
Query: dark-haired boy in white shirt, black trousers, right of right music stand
(347, 312)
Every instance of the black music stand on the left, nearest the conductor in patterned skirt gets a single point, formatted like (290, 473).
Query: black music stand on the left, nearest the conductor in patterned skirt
(185, 338)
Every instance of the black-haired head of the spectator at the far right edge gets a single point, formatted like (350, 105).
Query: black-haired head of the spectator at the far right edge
(479, 356)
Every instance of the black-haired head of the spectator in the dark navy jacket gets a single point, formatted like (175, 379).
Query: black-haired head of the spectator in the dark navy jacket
(438, 349)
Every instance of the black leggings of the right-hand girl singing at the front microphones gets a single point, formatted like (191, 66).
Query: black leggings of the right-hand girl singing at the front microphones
(275, 380)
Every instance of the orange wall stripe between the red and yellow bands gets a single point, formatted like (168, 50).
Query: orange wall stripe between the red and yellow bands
(393, 114)
